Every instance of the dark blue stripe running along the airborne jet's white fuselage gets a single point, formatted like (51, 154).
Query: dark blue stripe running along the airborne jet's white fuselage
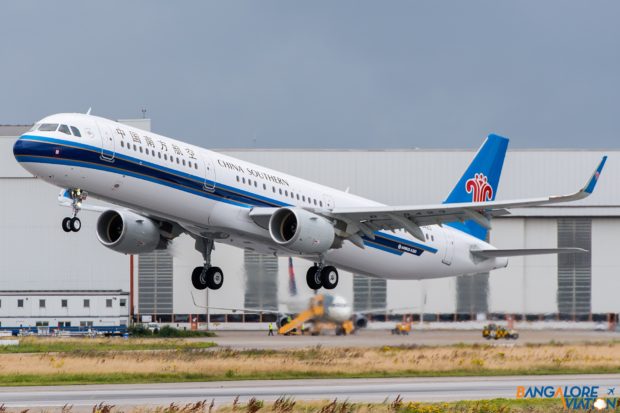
(39, 149)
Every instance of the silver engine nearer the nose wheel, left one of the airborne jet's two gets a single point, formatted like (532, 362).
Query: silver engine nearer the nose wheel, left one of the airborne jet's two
(127, 232)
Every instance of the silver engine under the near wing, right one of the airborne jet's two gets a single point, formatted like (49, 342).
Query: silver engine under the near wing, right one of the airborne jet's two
(301, 231)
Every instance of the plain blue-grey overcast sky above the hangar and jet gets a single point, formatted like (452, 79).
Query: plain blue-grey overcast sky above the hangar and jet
(346, 74)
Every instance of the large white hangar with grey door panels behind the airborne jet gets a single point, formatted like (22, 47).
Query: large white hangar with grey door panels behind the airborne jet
(37, 256)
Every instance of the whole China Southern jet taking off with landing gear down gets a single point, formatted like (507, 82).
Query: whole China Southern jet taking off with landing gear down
(164, 187)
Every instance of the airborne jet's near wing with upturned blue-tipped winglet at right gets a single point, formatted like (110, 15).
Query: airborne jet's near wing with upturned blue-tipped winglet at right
(364, 221)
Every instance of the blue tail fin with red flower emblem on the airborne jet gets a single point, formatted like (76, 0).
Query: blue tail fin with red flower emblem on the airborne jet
(480, 181)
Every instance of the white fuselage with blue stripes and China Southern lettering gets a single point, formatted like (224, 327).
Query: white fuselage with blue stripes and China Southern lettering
(211, 195)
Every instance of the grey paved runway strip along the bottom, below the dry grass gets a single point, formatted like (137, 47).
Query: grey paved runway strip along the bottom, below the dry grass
(354, 390)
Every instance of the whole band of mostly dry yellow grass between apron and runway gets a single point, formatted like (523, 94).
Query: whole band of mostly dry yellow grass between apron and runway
(99, 361)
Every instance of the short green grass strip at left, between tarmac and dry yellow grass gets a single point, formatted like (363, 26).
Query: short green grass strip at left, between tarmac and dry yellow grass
(77, 345)
